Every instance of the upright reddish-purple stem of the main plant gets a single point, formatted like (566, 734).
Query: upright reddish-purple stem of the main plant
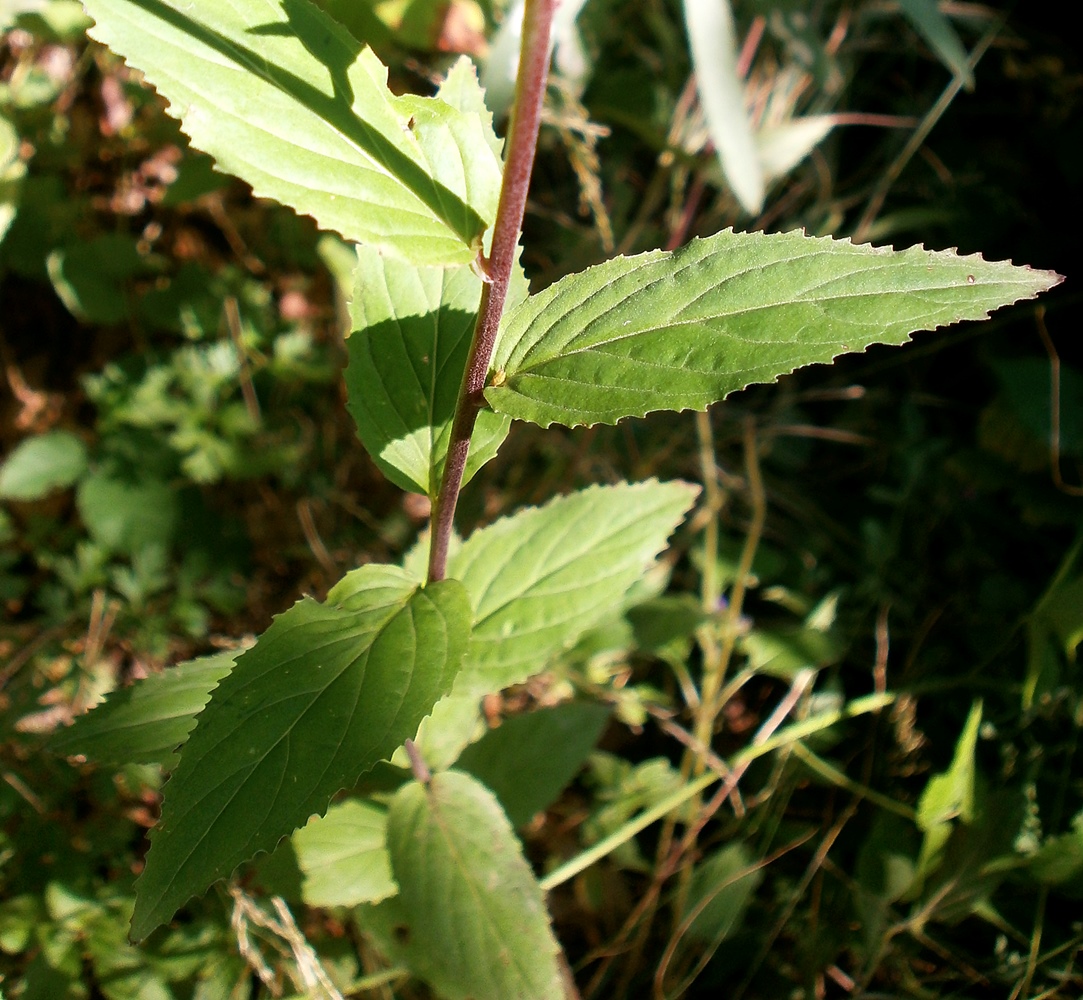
(523, 144)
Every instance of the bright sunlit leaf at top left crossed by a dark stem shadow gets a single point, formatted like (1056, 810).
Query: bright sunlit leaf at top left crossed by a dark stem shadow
(285, 98)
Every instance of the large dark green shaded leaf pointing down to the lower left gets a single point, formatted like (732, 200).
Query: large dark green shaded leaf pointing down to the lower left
(328, 692)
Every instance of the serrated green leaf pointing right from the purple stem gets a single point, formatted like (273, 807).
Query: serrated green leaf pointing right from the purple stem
(684, 330)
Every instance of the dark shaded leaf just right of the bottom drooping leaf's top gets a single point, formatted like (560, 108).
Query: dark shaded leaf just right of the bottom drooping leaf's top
(529, 760)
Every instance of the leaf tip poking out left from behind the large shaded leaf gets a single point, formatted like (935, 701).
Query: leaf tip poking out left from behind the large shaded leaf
(148, 722)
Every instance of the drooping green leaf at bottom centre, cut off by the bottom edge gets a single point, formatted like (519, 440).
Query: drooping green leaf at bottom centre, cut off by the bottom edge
(477, 918)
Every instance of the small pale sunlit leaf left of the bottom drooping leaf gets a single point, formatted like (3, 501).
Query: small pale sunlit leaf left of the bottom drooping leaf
(344, 856)
